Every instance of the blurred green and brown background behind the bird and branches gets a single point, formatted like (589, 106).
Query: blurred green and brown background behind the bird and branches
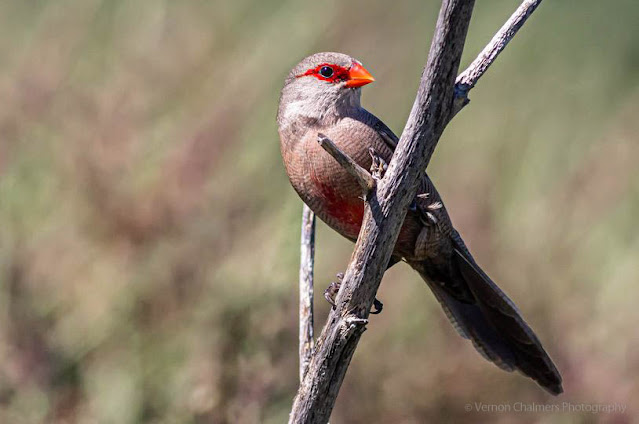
(149, 236)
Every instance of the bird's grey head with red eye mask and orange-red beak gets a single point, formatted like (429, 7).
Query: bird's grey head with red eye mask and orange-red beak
(323, 86)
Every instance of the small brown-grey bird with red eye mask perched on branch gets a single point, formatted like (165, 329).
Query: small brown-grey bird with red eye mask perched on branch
(321, 96)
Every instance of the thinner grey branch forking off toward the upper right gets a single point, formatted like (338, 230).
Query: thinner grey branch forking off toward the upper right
(467, 79)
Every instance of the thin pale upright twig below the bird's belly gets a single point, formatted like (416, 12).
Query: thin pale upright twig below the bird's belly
(307, 262)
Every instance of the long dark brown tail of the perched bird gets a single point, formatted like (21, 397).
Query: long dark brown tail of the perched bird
(481, 312)
